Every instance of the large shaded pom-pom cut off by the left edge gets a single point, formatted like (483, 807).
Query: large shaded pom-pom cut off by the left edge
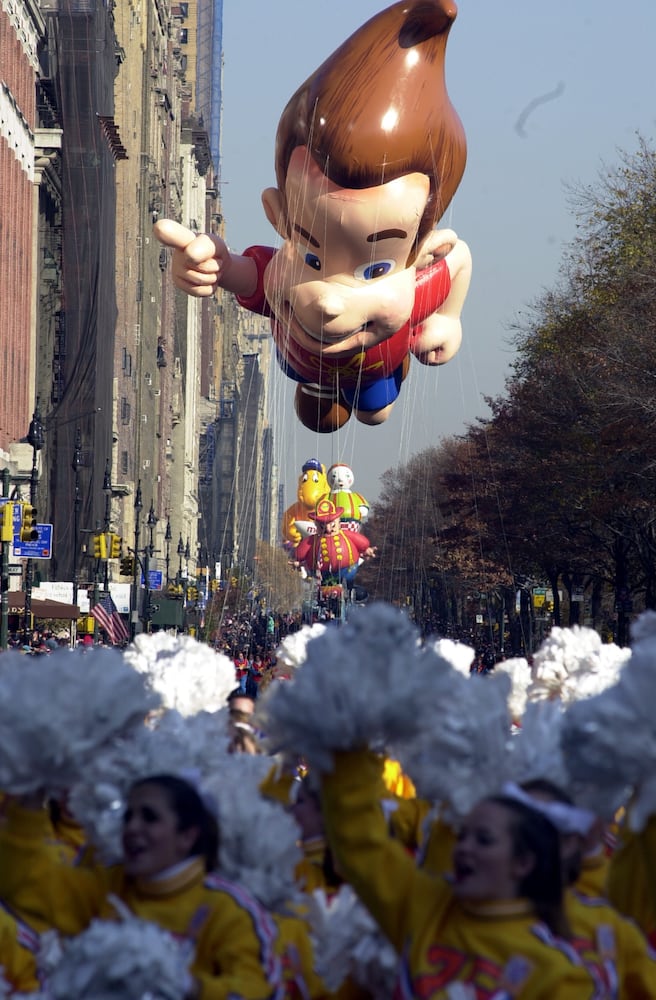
(57, 712)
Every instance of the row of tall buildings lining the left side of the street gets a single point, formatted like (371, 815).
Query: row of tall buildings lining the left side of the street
(152, 404)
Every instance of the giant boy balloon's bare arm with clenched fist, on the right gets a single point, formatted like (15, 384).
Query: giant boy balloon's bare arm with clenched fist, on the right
(440, 335)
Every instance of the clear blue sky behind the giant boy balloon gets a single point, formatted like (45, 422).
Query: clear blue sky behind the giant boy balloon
(595, 56)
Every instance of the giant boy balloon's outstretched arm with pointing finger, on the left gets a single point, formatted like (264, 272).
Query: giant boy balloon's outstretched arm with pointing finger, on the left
(201, 264)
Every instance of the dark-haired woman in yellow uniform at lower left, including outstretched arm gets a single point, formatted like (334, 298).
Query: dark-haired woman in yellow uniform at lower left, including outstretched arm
(170, 843)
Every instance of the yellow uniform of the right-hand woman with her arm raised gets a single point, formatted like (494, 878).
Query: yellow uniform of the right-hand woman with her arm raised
(491, 946)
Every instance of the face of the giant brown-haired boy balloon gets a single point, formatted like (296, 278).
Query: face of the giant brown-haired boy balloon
(340, 282)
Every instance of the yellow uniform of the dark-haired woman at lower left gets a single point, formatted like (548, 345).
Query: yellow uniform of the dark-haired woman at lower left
(233, 937)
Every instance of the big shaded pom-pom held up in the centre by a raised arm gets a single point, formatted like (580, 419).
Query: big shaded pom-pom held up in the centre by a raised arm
(361, 684)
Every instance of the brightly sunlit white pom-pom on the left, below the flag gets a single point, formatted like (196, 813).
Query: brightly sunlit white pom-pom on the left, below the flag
(189, 675)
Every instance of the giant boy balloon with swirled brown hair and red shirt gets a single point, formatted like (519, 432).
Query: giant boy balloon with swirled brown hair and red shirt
(369, 153)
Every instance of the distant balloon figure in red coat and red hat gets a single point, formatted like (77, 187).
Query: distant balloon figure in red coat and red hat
(333, 553)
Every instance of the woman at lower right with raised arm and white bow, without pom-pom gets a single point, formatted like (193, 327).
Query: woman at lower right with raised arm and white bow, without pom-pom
(495, 926)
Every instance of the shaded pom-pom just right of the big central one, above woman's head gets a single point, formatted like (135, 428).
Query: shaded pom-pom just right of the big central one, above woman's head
(462, 755)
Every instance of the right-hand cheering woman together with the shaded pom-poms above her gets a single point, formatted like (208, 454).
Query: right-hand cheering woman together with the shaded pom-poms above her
(499, 926)
